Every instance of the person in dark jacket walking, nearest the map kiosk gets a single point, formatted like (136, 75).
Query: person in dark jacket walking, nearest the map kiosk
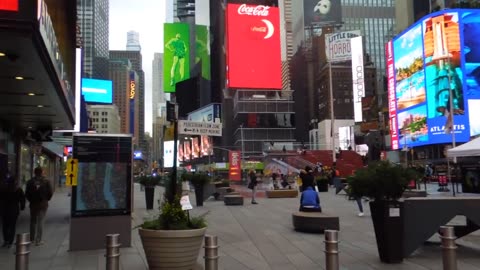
(39, 192)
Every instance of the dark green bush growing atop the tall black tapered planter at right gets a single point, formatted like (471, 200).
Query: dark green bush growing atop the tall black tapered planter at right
(380, 181)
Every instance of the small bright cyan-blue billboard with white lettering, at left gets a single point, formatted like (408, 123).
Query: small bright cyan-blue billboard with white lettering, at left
(97, 91)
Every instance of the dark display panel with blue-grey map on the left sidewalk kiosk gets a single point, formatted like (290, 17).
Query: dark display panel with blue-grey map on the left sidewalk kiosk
(104, 175)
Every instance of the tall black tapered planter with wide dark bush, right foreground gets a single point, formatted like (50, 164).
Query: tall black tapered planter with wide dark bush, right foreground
(384, 183)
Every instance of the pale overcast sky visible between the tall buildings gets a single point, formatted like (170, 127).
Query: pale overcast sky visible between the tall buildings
(147, 18)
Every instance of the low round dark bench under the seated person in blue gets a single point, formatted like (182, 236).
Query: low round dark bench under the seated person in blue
(314, 222)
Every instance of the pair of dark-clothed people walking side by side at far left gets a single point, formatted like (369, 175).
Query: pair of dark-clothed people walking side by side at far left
(38, 193)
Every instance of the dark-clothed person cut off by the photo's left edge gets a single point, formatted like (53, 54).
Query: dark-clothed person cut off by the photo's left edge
(12, 201)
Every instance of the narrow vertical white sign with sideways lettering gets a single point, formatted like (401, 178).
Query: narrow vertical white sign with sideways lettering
(358, 78)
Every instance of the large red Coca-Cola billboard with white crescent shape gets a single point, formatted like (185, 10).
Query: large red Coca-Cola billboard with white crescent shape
(253, 47)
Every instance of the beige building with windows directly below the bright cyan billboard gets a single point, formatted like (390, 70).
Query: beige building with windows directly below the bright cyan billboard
(104, 118)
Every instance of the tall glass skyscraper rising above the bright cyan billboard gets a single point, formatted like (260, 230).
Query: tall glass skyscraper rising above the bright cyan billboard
(93, 21)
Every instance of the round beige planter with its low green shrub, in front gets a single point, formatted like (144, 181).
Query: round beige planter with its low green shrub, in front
(173, 239)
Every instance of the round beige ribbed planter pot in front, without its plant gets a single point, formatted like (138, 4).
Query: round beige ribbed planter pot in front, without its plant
(172, 249)
